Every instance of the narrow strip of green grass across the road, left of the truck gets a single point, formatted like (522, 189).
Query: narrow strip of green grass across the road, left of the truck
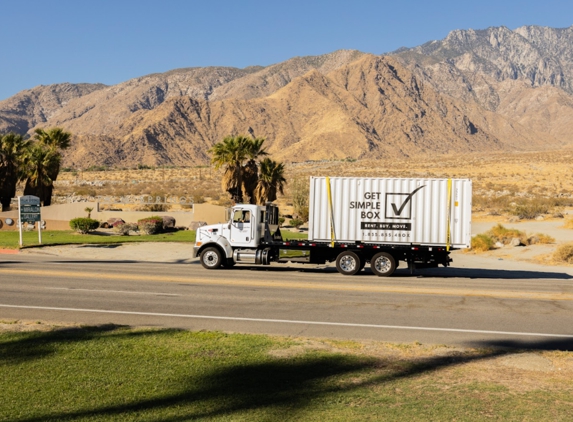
(10, 240)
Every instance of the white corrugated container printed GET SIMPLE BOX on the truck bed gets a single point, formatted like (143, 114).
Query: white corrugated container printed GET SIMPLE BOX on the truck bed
(432, 212)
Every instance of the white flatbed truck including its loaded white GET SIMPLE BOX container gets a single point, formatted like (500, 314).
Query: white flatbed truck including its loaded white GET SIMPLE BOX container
(353, 222)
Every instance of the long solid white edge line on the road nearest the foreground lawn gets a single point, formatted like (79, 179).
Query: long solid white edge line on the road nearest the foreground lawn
(287, 321)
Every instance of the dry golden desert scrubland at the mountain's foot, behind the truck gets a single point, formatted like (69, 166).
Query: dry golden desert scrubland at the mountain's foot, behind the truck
(523, 185)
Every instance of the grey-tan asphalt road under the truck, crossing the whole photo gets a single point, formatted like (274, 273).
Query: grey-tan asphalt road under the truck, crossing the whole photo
(459, 306)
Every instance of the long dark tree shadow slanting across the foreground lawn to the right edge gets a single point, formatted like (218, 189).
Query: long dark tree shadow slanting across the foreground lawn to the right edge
(272, 388)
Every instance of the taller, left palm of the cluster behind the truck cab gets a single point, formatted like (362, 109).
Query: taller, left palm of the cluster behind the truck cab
(232, 154)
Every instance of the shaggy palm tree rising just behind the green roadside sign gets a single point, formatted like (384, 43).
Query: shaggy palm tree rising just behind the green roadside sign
(43, 162)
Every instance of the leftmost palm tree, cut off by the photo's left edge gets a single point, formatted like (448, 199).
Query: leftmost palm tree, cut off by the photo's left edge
(13, 149)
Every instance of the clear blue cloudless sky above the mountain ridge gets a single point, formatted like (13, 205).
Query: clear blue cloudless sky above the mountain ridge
(110, 41)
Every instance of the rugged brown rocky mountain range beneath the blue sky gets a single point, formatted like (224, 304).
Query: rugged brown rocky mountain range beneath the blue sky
(486, 90)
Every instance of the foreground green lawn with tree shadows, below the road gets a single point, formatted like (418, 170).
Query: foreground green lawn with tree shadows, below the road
(116, 373)
